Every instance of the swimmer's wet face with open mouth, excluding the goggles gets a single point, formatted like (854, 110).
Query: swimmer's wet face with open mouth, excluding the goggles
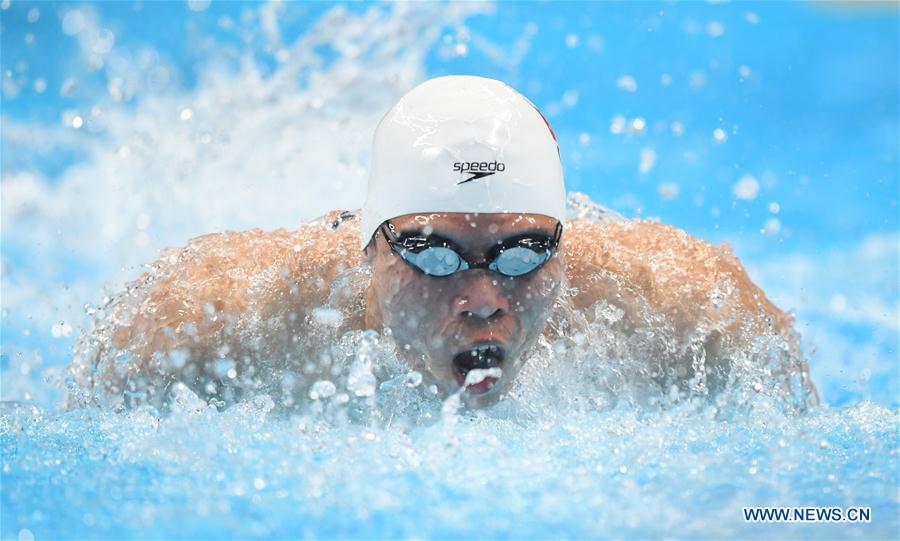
(473, 319)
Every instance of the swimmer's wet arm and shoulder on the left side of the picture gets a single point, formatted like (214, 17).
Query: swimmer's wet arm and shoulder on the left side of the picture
(224, 301)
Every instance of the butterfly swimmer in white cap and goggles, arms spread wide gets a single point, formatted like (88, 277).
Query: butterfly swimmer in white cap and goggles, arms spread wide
(467, 253)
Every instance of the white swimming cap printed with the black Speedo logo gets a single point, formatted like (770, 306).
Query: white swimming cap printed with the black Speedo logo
(463, 144)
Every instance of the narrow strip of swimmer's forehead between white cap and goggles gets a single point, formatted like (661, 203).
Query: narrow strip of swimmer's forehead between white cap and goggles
(459, 223)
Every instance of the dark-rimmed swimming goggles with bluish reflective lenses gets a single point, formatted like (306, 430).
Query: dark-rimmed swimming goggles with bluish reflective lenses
(437, 256)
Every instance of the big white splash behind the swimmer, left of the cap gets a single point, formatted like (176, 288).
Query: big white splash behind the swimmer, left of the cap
(244, 148)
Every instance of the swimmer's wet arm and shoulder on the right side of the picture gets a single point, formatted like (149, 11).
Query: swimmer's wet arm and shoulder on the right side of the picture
(706, 299)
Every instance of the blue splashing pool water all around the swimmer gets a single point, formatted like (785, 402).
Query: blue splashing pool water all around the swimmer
(130, 127)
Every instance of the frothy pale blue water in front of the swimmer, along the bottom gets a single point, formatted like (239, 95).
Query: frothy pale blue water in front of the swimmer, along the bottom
(575, 472)
